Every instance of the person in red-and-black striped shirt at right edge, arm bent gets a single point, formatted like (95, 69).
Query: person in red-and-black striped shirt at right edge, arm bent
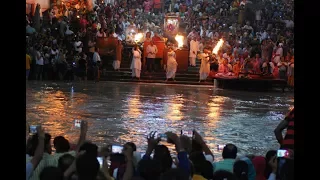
(288, 123)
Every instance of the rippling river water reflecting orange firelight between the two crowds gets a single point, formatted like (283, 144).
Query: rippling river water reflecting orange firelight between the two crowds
(120, 112)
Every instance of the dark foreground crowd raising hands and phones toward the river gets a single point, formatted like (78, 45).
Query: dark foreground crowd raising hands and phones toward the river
(192, 158)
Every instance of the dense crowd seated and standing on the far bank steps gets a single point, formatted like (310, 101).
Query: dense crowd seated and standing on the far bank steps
(258, 39)
